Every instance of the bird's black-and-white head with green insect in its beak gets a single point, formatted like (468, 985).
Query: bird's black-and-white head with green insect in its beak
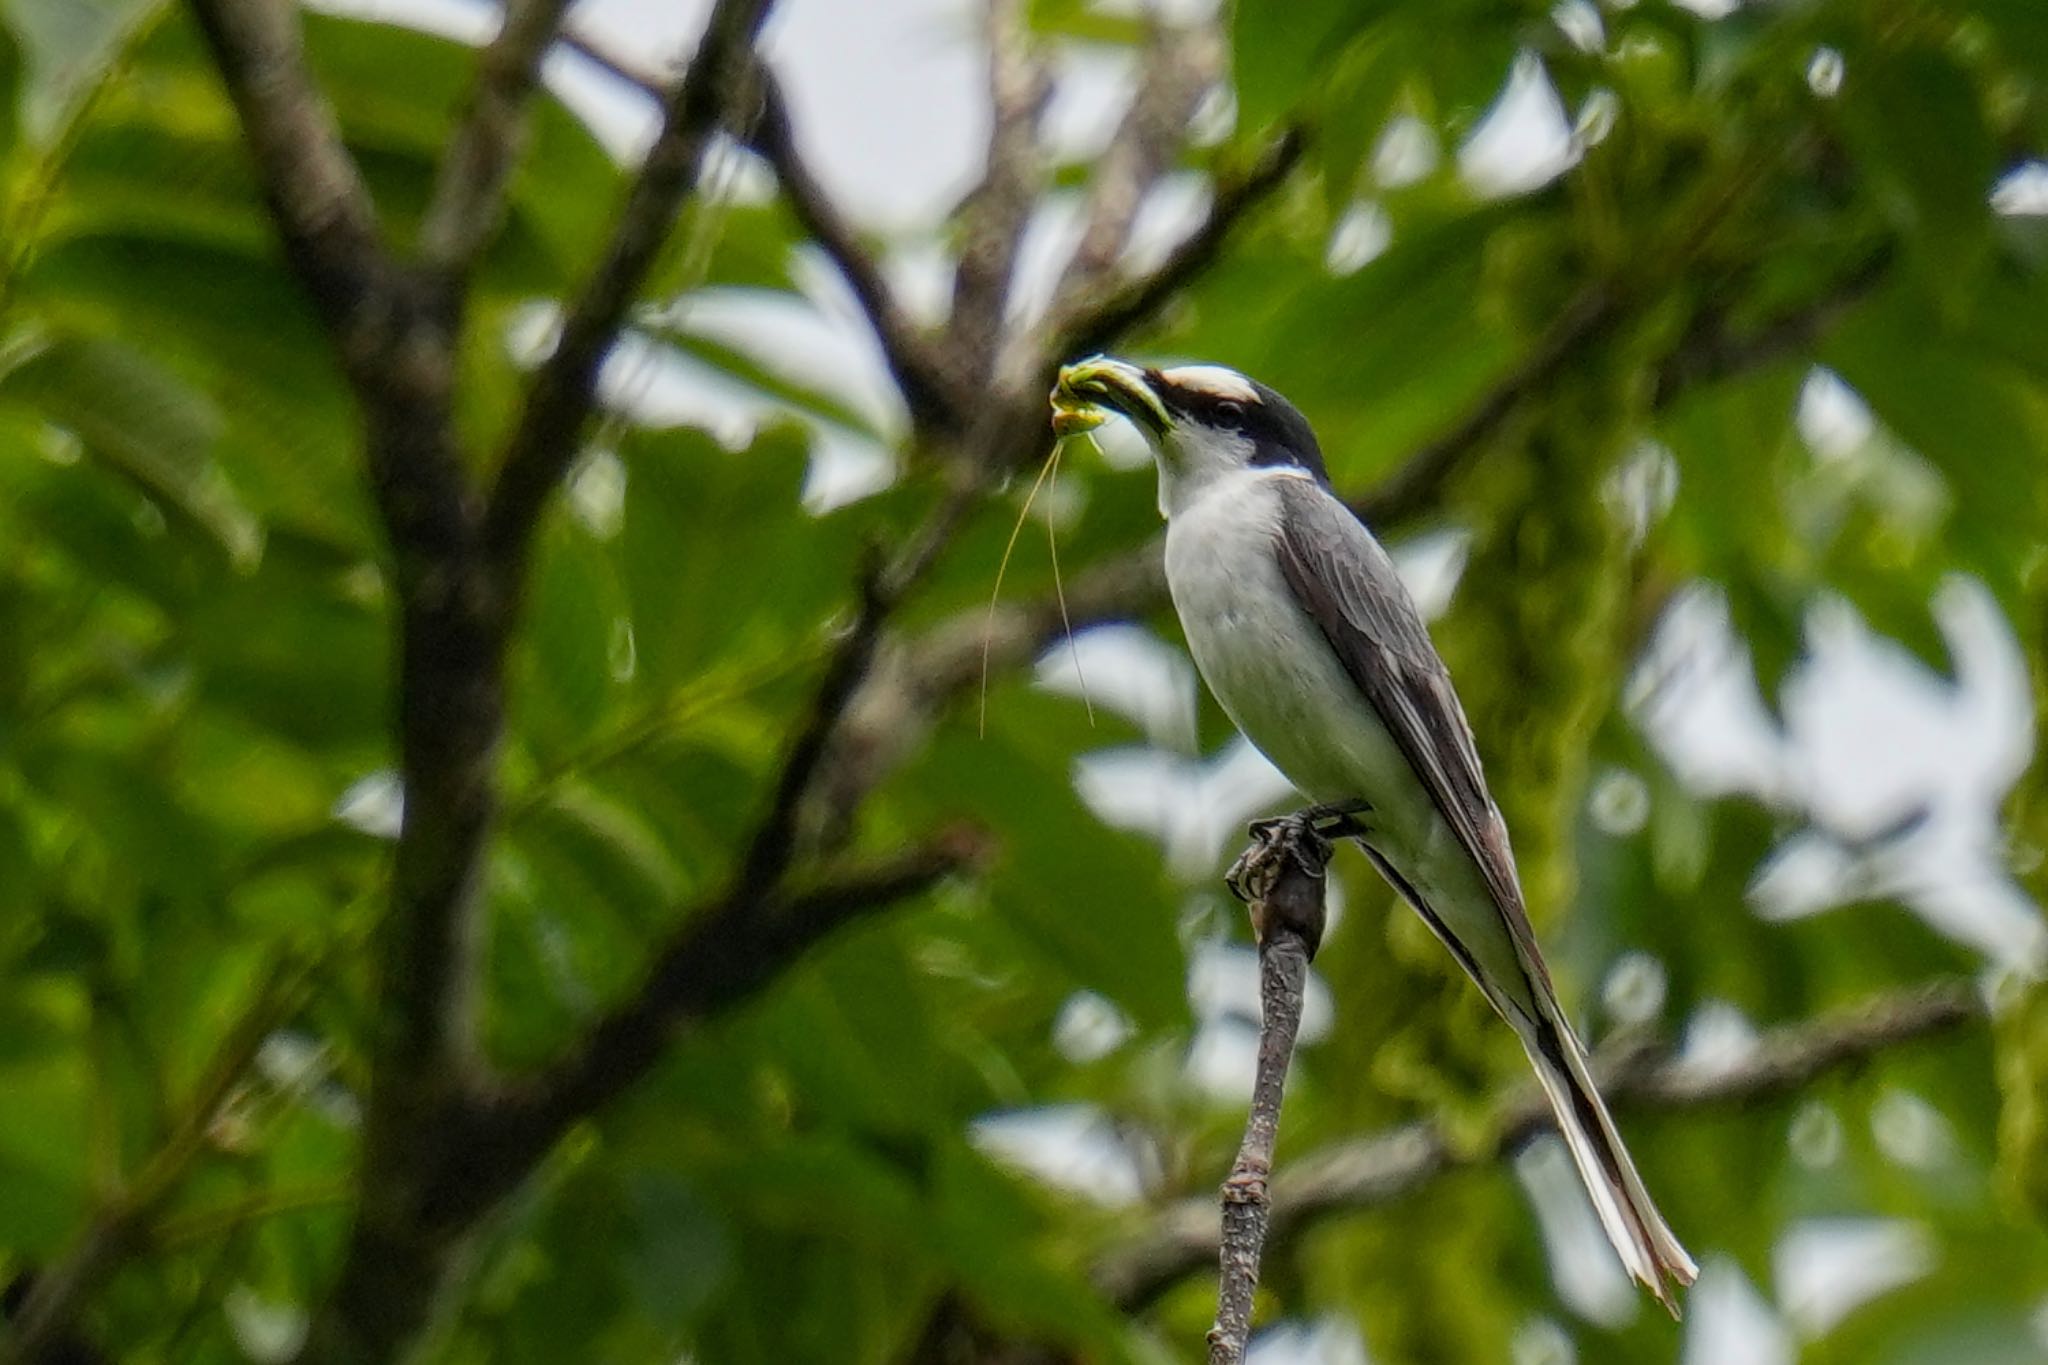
(1201, 421)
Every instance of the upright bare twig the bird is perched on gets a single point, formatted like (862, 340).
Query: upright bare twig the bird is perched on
(1283, 875)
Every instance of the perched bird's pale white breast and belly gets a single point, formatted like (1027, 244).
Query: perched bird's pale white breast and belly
(1267, 660)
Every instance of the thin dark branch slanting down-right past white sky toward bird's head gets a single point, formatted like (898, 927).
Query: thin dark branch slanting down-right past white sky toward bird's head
(914, 363)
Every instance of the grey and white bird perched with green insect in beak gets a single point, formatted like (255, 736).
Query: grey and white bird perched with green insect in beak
(1310, 642)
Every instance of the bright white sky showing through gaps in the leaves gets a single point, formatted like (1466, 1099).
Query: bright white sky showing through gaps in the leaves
(888, 101)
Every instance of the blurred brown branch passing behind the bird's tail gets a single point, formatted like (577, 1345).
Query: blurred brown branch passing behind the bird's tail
(1396, 1163)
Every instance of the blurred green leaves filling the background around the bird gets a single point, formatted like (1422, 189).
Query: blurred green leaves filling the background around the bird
(196, 680)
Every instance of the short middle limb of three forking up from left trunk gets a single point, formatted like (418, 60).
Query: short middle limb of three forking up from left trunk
(484, 150)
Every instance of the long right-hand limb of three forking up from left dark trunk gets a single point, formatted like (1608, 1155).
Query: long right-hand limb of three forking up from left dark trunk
(564, 388)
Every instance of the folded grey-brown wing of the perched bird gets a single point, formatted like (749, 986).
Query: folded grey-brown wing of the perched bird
(1349, 586)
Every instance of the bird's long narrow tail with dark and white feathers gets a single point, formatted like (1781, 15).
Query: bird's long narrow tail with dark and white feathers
(1627, 1213)
